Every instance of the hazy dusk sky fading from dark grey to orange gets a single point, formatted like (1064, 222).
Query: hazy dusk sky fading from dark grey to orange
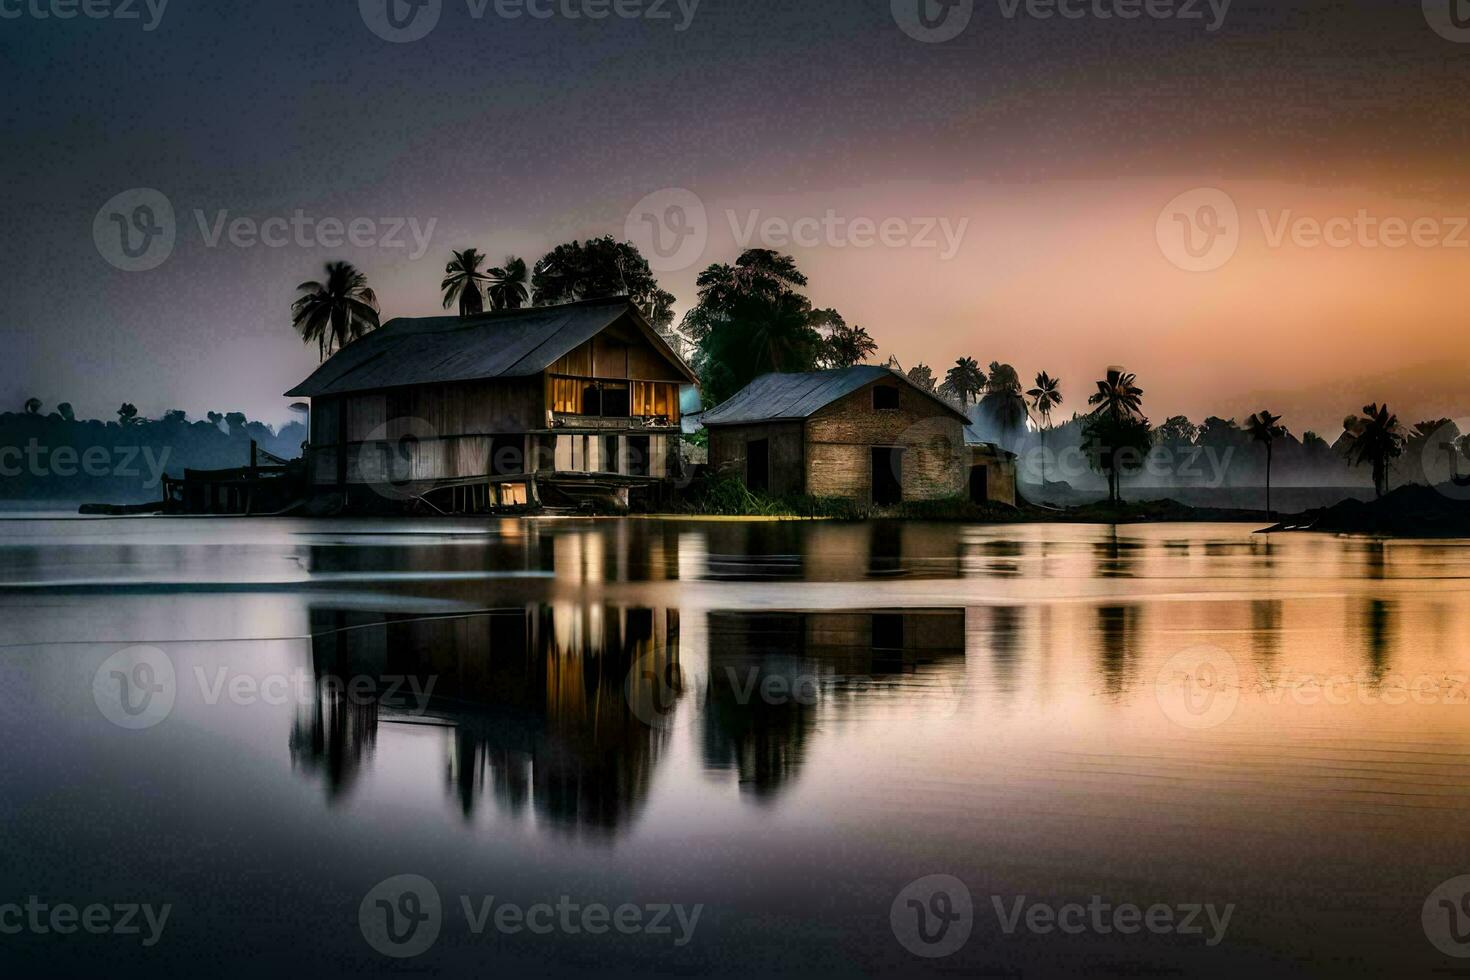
(1049, 149)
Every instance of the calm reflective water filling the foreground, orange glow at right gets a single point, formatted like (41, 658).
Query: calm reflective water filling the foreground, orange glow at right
(783, 725)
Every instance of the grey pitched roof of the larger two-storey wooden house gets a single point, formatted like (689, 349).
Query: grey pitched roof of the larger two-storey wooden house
(448, 349)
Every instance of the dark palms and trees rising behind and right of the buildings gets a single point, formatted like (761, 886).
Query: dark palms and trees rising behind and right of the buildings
(752, 318)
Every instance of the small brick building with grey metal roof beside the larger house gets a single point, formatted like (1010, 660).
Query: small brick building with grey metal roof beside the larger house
(864, 433)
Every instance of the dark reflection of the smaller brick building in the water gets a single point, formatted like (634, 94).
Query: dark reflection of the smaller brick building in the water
(772, 674)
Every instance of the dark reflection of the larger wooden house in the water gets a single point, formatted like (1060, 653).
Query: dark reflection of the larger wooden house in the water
(531, 700)
